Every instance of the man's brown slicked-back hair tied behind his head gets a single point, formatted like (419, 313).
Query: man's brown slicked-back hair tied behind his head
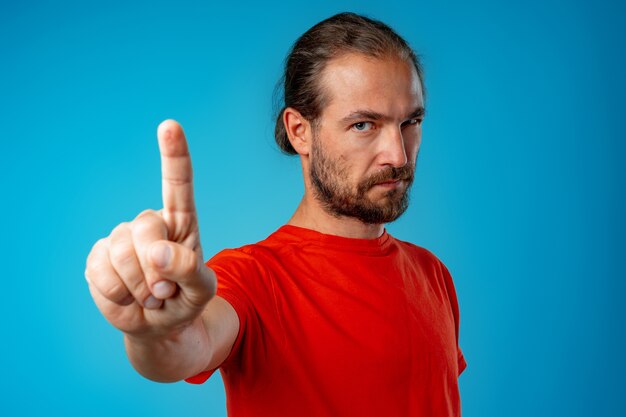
(329, 39)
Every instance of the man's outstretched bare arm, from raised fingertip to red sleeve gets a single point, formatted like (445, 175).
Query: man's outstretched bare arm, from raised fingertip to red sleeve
(148, 278)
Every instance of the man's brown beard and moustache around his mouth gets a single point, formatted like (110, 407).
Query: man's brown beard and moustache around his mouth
(339, 199)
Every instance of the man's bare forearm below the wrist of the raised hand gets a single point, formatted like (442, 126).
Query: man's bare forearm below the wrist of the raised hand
(171, 358)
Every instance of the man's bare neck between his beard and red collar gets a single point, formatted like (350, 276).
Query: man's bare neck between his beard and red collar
(311, 215)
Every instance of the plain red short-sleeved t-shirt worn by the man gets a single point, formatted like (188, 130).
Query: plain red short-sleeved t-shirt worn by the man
(333, 326)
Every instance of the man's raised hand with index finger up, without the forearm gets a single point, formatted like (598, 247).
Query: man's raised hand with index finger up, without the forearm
(148, 276)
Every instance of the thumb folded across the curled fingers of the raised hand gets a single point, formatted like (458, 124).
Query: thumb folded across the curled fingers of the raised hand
(179, 264)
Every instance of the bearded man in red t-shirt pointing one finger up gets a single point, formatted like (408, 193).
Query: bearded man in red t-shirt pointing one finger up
(329, 315)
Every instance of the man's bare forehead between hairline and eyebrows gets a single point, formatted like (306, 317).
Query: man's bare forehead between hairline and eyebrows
(384, 85)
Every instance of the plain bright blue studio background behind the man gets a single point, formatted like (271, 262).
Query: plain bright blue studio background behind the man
(519, 190)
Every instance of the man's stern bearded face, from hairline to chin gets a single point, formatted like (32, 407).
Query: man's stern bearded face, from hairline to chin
(365, 145)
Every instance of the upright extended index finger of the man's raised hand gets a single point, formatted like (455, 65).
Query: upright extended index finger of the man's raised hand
(176, 172)
